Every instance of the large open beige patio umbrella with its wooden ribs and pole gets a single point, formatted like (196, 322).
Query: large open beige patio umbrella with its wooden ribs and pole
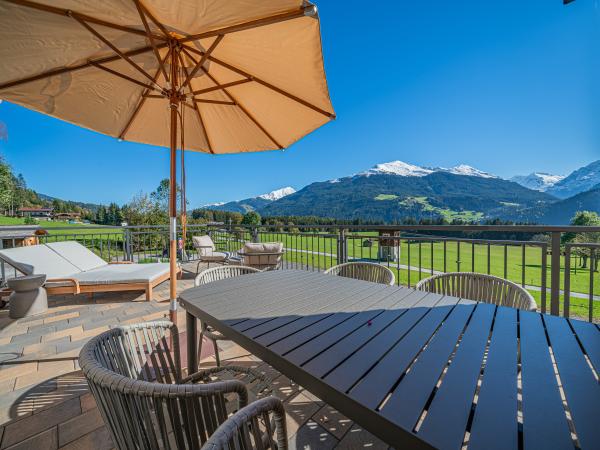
(218, 76)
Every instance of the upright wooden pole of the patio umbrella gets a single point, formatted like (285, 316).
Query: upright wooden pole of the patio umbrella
(174, 105)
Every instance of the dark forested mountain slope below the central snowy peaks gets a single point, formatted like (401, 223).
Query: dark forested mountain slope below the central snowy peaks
(389, 197)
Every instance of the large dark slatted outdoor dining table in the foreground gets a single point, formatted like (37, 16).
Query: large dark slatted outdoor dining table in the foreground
(416, 369)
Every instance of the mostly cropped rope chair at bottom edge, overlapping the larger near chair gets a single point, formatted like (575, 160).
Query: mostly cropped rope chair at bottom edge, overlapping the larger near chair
(238, 432)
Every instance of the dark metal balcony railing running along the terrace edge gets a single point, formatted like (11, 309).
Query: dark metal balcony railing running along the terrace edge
(563, 278)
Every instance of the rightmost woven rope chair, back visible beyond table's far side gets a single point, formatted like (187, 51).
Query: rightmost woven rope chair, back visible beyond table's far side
(479, 287)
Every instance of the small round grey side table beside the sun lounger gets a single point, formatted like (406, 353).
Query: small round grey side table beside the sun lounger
(28, 297)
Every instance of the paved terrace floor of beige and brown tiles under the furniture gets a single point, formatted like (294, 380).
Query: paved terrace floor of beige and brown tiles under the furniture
(44, 398)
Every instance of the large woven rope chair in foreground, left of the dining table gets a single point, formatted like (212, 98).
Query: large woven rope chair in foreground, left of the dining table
(144, 400)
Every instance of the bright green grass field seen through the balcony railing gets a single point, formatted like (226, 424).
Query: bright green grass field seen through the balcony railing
(522, 265)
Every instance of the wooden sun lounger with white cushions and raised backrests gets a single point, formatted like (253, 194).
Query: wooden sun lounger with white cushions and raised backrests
(71, 268)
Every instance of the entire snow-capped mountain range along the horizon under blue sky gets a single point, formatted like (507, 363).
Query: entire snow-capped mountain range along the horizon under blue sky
(396, 190)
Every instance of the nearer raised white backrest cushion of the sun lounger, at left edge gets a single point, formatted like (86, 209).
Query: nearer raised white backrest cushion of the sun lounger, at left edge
(39, 259)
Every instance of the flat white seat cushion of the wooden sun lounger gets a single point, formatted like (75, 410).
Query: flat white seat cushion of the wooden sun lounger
(123, 273)
